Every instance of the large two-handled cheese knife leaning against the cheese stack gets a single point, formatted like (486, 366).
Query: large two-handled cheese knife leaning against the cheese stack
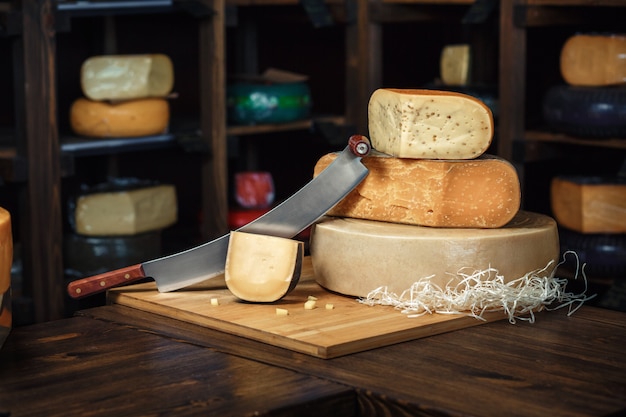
(286, 220)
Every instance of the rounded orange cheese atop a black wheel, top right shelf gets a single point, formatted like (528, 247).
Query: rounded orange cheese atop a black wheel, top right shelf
(594, 60)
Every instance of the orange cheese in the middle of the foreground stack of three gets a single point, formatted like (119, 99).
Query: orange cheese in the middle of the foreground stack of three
(483, 192)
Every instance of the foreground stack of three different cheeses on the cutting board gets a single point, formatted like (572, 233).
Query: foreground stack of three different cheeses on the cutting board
(433, 204)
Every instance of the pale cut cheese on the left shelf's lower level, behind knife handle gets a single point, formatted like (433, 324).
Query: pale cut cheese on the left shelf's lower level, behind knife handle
(126, 212)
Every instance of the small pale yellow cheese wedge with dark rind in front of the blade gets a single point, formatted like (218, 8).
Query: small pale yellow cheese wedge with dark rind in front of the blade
(262, 268)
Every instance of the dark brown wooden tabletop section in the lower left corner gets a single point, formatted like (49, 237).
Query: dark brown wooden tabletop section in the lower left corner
(81, 366)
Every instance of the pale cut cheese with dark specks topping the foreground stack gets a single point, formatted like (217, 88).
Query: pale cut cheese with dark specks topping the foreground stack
(429, 124)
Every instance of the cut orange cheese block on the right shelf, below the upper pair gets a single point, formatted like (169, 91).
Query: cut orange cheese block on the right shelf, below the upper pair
(590, 204)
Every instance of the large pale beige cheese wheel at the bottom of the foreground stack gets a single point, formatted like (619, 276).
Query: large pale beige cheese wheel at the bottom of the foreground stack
(354, 256)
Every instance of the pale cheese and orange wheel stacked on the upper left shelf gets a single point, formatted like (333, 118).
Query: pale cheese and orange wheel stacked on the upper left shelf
(125, 96)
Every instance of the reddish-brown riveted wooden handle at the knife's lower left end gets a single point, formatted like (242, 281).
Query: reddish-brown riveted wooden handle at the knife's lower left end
(102, 282)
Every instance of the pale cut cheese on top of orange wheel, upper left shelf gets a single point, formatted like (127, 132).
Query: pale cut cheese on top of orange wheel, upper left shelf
(125, 77)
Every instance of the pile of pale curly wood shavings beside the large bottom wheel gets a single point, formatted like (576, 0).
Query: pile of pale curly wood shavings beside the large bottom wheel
(486, 291)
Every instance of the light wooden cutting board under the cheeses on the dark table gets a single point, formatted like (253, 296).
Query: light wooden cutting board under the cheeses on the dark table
(325, 333)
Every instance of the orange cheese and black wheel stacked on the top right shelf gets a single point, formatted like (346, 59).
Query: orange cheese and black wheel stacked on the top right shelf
(592, 102)
